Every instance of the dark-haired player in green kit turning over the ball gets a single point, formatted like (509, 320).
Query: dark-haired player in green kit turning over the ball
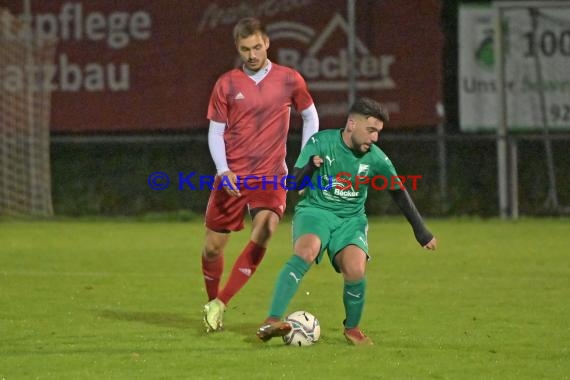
(331, 217)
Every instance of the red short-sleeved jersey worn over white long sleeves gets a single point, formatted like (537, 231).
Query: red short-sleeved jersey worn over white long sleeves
(257, 117)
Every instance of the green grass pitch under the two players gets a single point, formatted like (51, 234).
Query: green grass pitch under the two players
(114, 299)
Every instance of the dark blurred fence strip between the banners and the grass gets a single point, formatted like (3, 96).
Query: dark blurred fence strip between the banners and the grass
(109, 176)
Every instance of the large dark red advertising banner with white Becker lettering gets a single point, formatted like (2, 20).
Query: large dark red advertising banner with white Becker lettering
(135, 65)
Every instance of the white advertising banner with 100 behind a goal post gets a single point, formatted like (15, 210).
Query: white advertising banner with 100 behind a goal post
(536, 59)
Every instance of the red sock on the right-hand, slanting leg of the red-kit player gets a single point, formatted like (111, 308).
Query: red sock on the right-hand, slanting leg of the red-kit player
(243, 269)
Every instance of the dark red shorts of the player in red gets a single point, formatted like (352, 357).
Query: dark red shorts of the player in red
(226, 213)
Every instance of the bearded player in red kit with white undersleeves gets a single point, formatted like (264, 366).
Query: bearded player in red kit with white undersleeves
(249, 114)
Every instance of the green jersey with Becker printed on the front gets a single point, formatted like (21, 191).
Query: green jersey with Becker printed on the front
(341, 183)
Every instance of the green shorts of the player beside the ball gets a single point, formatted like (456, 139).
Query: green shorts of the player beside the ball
(335, 233)
